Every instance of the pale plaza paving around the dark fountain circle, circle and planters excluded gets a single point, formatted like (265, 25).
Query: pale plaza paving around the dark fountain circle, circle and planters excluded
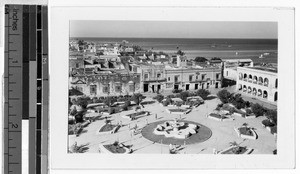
(222, 132)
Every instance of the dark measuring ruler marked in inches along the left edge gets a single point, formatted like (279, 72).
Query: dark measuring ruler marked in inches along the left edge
(26, 87)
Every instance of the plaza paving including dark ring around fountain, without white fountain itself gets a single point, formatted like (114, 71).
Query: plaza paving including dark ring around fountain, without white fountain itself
(136, 133)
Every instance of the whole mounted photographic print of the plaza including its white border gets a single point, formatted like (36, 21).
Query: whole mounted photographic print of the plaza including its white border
(171, 88)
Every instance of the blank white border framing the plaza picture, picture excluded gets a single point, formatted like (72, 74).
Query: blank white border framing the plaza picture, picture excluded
(59, 38)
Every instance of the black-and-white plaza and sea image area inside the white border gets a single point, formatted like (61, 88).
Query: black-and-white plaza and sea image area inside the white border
(173, 87)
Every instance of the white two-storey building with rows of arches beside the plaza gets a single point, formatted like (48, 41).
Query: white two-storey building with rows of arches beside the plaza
(258, 82)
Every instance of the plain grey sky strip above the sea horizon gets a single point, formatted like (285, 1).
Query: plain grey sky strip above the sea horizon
(174, 29)
